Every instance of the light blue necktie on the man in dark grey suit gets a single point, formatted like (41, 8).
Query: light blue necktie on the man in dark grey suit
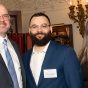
(10, 64)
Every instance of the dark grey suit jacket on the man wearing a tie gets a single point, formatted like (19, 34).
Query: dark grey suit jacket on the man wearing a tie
(5, 79)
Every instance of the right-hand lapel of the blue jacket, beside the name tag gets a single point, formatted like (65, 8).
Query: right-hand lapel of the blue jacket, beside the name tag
(47, 58)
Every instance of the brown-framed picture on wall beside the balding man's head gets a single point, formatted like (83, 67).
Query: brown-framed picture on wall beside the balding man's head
(16, 22)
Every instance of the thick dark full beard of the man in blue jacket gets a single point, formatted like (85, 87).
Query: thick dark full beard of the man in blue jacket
(40, 42)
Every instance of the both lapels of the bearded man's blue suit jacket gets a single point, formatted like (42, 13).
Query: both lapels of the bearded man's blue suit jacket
(30, 77)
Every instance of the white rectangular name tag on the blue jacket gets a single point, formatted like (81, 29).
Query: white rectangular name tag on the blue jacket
(50, 73)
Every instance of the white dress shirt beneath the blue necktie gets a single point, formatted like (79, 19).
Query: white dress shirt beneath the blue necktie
(14, 58)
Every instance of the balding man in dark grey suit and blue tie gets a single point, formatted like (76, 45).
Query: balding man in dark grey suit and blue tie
(12, 74)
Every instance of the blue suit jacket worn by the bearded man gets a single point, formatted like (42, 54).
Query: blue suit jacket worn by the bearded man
(61, 58)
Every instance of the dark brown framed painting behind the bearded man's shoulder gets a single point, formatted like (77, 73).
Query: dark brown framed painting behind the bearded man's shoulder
(63, 34)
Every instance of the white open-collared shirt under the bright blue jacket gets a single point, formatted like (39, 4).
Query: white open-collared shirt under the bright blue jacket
(36, 63)
